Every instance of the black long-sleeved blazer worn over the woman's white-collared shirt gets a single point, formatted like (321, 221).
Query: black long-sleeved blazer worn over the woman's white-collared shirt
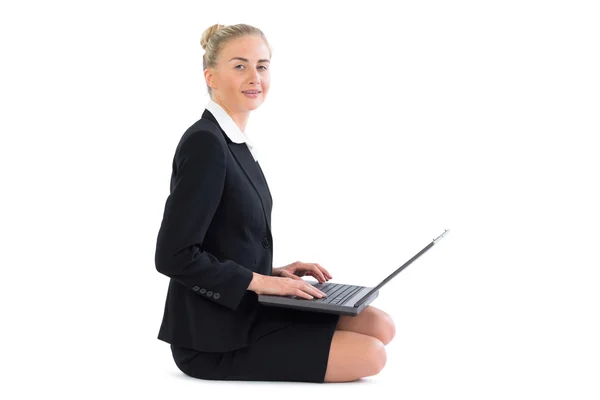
(215, 231)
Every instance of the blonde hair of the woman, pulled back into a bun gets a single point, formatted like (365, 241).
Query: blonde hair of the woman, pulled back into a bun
(215, 37)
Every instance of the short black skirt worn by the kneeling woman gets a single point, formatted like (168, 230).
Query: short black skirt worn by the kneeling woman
(298, 351)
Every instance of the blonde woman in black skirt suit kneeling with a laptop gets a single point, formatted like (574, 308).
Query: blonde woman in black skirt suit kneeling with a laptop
(215, 244)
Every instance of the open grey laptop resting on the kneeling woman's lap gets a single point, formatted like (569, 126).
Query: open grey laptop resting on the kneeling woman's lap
(340, 299)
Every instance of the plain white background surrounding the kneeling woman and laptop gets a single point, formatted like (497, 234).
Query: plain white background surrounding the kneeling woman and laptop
(386, 123)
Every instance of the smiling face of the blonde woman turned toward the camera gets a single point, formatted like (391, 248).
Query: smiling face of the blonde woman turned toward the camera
(242, 65)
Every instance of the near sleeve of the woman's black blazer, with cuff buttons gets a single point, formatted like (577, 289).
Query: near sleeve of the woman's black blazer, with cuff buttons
(199, 178)
